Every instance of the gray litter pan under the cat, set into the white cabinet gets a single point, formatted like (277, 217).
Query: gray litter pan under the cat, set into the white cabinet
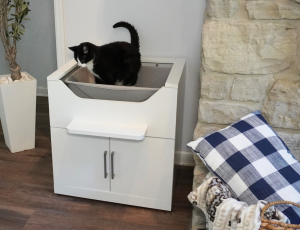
(150, 79)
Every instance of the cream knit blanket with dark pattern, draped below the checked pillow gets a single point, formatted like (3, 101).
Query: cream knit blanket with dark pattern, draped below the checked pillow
(224, 212)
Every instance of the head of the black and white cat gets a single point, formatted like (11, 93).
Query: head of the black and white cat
(83, 53)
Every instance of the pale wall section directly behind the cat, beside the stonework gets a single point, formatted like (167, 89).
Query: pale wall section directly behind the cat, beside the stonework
(167, 28)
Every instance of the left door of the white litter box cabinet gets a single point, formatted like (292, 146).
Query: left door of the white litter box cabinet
(78, 160)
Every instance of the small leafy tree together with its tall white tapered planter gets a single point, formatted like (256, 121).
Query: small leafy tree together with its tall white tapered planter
(17, 89)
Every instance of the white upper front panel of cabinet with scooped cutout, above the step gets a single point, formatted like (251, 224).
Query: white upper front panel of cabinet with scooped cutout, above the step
(158, 113)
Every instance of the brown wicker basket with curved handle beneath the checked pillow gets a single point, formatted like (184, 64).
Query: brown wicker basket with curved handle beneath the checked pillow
(274, 225)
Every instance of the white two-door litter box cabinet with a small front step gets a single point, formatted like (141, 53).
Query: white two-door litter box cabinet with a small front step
(116, 151)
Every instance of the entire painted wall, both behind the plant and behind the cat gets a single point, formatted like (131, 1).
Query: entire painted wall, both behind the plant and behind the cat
(167, 28)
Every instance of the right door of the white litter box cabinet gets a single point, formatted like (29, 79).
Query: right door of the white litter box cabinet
(143, 168)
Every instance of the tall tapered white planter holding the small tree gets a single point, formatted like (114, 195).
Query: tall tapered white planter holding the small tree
(17, 113)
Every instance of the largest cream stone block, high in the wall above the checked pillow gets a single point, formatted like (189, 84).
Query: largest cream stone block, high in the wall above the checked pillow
(248, 47)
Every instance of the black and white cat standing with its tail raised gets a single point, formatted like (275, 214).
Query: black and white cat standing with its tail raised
(116, 63)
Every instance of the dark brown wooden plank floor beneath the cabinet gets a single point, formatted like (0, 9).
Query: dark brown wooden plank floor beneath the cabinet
(27, 200)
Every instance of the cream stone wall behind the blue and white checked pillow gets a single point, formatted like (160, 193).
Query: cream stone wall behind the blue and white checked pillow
(250, 61)
